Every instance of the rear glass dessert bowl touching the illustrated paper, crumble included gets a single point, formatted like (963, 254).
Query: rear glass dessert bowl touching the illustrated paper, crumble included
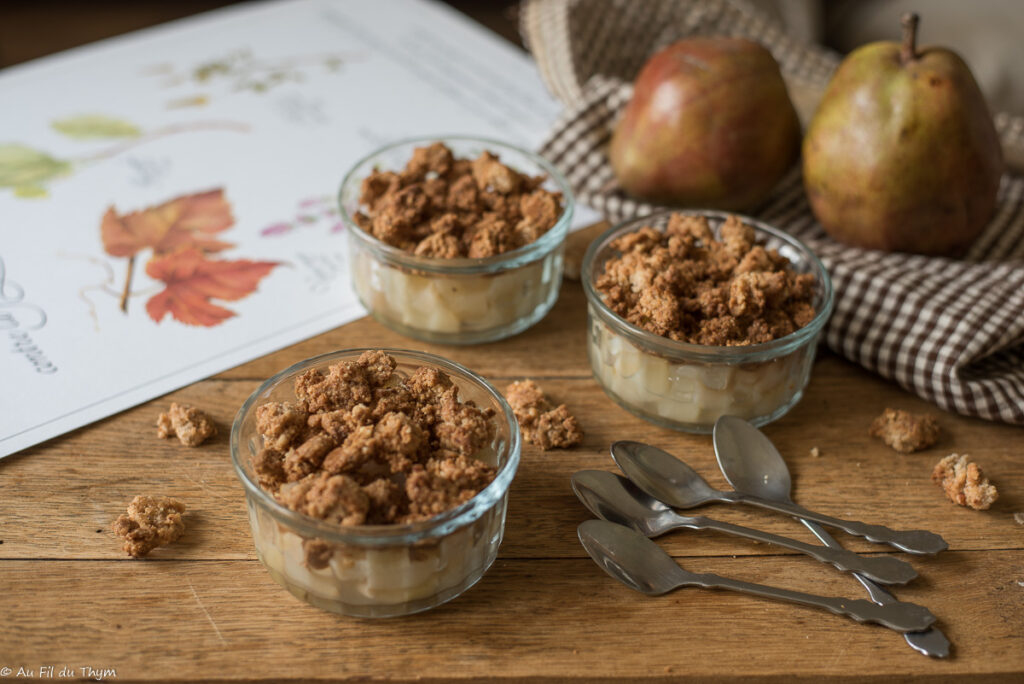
(456, 240)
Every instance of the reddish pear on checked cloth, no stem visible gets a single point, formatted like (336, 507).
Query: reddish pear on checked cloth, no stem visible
(710, 124)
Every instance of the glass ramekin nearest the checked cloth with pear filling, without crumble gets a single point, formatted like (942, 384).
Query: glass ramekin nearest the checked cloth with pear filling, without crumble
(689, 387)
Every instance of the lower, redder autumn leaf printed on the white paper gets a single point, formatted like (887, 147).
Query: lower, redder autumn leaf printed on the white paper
(193, 281)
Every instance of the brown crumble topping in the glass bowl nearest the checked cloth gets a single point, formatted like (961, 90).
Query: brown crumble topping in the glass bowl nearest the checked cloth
(685, 285)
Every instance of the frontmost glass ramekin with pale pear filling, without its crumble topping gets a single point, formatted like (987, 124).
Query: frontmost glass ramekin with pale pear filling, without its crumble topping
(379, 571)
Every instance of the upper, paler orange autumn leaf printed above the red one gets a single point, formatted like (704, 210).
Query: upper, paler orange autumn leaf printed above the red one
(185, 222)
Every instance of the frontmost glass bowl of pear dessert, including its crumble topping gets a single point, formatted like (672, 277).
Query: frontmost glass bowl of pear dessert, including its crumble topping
(332, 523)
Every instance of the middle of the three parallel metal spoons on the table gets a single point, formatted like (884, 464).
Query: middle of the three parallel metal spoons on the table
(614, 498)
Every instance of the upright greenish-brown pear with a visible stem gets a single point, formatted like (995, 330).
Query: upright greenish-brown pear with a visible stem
(902, 154)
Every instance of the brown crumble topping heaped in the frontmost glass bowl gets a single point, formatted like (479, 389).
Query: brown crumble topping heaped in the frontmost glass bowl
(364, 446)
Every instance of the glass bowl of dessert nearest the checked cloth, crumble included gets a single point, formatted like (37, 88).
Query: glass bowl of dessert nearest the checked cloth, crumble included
(698, 315)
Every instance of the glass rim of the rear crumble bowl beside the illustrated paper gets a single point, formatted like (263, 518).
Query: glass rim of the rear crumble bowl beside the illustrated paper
(463, 266)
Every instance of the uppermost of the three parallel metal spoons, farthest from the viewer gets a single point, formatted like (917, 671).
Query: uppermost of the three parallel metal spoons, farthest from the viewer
(669, 480)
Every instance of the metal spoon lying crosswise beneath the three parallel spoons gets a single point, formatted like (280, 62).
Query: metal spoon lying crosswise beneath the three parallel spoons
(744, 453)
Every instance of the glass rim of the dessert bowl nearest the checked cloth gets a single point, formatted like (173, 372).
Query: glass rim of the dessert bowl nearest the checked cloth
(675, 349)
